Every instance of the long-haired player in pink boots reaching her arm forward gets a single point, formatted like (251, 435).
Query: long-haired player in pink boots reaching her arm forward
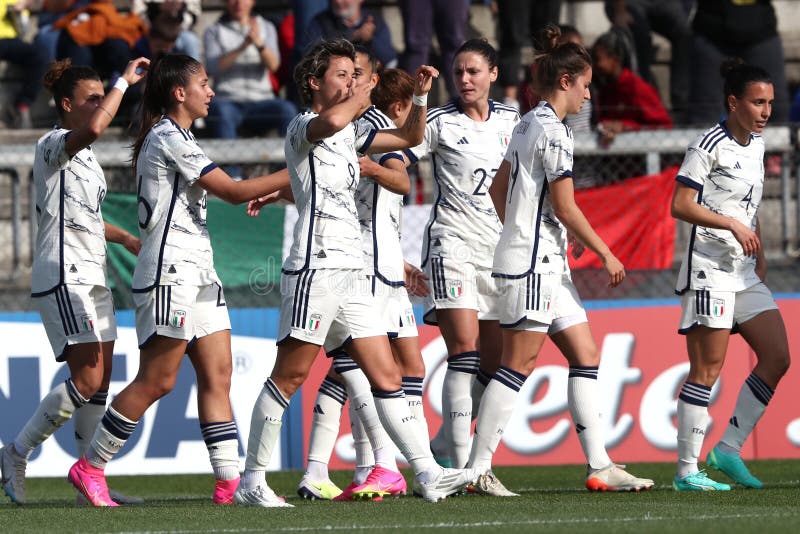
(180, 305)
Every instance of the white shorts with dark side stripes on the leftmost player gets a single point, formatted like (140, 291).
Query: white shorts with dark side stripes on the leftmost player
(75, 314)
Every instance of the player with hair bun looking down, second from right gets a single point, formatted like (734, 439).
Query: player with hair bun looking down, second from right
(533, 195)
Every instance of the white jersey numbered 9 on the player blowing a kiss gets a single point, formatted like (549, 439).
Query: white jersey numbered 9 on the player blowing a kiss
(324, 176)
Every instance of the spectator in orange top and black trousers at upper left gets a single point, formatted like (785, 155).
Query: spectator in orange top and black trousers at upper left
(105, 46)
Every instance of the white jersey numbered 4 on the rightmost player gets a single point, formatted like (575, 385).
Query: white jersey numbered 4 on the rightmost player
(729, 179)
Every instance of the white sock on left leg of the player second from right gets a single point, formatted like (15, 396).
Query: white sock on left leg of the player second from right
(493, 415)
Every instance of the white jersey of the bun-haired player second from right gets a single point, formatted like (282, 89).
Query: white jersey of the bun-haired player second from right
(533, 240)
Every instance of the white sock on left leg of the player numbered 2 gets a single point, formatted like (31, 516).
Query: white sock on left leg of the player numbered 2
(457, 404)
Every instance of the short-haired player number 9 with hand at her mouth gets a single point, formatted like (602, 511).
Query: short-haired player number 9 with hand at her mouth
(322, 279)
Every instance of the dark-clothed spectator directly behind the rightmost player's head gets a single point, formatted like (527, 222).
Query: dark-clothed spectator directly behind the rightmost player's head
(723, 29)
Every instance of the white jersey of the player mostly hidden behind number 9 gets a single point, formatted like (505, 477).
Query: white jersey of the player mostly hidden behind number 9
(379, 213)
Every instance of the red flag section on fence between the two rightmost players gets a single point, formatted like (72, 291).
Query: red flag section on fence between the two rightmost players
(633, 218)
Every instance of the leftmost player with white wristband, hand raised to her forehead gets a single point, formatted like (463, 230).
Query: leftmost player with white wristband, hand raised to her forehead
(69, 284)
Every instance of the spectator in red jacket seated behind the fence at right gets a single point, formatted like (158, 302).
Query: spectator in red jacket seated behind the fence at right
(623, 100)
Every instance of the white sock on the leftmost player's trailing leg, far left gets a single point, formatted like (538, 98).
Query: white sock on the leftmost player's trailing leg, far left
(54, 410)
